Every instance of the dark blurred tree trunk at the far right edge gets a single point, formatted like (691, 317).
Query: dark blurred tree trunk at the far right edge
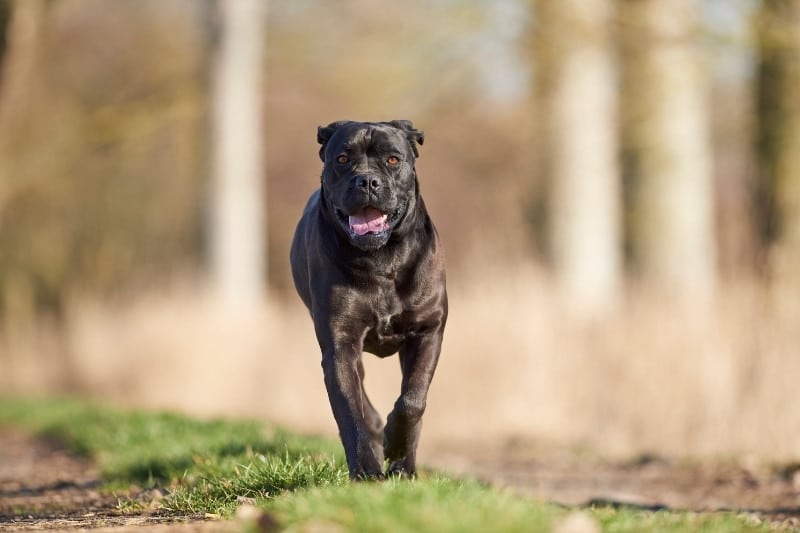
(778, 128)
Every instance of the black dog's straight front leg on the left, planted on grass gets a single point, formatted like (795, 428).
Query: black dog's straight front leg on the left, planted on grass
(345, 393)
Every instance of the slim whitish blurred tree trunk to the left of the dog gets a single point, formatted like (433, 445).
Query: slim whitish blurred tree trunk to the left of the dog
(238, 232)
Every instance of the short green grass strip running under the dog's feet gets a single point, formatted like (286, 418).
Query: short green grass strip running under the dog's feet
(301, 482)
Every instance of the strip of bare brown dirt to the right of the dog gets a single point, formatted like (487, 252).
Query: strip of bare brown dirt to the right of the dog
(651, 483)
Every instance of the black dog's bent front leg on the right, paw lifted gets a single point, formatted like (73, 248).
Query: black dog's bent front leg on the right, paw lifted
(418, 362)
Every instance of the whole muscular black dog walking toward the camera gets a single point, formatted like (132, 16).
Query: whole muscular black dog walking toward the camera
(368, 264)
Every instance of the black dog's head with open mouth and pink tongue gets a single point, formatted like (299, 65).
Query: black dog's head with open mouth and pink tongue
(368, 180)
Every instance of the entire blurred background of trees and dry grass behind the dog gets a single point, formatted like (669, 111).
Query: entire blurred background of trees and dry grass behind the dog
(616, 182)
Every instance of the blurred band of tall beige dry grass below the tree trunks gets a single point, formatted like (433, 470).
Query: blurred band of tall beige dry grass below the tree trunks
(652, 377)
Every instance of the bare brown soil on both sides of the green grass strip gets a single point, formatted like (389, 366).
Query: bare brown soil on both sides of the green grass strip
(44, 487)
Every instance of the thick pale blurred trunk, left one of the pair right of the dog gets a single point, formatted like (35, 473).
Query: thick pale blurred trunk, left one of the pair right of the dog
(576, 86)
